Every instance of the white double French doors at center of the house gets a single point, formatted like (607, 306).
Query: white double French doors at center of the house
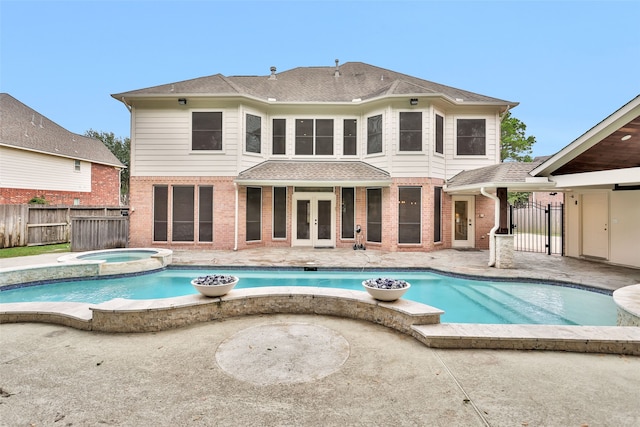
(314, 219)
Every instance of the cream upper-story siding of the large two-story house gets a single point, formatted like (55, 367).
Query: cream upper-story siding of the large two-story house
(161, 140)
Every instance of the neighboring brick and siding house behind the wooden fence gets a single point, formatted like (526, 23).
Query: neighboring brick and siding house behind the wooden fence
(40, 159)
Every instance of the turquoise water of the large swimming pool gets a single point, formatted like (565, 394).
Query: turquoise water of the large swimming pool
(463, 300)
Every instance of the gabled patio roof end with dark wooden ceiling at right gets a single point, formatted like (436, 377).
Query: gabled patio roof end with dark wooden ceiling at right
(612, 144)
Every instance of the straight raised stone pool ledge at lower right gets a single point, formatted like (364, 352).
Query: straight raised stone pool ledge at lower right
(581, 339)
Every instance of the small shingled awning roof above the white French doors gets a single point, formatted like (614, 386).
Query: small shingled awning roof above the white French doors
(314, 173)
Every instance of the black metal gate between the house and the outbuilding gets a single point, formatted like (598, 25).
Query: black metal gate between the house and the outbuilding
(537, 227)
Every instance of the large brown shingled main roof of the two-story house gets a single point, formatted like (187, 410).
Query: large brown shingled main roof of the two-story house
(347, 83)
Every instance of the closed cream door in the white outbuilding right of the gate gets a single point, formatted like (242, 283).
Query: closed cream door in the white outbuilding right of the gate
(595, 225)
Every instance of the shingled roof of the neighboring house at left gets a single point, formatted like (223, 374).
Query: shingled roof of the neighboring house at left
(24, 128)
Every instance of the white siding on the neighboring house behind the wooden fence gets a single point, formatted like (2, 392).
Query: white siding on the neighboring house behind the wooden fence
(25, 169)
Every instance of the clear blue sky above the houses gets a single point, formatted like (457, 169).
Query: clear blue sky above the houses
(568, 63)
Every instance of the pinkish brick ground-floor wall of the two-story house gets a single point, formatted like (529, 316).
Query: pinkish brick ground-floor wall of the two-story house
(224, 194)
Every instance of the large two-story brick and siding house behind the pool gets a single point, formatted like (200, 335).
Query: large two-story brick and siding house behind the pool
(305, 156)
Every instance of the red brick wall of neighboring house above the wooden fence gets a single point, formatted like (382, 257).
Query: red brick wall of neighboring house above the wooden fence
(105, 191)
